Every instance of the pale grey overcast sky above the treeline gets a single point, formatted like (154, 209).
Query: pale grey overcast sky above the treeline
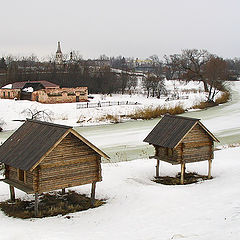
(131, 28)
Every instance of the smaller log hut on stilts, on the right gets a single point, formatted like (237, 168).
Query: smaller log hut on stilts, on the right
(181, 140)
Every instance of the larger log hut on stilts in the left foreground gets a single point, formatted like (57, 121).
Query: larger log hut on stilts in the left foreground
(42, 156)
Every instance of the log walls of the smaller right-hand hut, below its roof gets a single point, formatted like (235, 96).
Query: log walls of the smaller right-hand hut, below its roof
(196, 146)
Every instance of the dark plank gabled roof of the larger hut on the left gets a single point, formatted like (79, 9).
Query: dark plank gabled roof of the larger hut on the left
(29, 144)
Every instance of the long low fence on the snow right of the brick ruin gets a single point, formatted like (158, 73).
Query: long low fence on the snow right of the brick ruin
(104, 104)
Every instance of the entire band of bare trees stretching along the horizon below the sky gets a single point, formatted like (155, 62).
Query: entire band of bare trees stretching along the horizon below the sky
(99, 76)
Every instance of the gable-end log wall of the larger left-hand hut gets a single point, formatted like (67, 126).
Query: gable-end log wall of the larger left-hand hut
(71, 163)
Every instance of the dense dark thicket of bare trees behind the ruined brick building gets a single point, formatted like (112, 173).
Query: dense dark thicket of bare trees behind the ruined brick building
(98, 79)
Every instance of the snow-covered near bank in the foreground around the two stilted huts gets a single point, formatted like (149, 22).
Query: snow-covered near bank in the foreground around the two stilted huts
(140, 209)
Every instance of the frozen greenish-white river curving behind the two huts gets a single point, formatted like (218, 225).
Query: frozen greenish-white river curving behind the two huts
(124, 141)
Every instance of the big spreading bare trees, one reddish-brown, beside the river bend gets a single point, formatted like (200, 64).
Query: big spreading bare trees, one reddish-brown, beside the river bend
(199, 65)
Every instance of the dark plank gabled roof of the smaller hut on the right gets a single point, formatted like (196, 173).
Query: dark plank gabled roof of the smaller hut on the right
(170, 130)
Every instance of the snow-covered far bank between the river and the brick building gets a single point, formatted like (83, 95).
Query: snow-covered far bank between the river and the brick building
(68, 114)
